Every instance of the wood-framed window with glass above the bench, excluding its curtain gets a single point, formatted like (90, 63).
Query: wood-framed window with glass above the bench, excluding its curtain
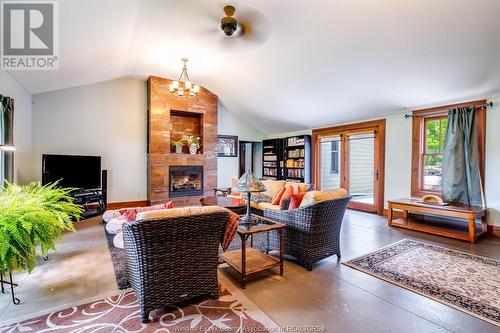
(429, 132)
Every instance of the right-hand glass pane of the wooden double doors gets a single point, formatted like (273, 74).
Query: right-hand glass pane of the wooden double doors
(361, 167)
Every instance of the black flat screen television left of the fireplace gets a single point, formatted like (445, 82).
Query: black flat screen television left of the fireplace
(83, 172)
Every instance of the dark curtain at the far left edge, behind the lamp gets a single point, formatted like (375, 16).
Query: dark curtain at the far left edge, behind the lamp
(6, 138)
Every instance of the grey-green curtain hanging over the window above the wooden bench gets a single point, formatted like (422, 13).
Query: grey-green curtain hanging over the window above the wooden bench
(461, 181)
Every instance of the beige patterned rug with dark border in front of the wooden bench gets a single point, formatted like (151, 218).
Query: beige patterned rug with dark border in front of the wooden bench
(464, 281)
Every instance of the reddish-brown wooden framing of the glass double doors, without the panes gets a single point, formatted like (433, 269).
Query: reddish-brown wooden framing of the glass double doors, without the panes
(379, 162)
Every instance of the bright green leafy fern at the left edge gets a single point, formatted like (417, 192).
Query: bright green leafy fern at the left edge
(32, 216)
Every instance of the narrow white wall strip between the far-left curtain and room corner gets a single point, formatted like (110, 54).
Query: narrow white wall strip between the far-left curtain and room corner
(22, 126)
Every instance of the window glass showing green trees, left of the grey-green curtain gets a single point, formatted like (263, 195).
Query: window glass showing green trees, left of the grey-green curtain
(432, 154)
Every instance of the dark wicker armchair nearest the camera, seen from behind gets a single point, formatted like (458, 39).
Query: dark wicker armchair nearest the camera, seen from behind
(173, 259)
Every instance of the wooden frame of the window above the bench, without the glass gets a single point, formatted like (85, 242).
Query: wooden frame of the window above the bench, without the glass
(420, 117)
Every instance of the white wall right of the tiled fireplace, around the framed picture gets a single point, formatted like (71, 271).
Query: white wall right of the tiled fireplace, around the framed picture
(231, 124)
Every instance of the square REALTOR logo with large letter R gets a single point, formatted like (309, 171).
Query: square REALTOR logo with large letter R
(29, 35)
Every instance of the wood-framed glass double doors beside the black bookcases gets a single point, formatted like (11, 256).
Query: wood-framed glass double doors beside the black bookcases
(352, 158)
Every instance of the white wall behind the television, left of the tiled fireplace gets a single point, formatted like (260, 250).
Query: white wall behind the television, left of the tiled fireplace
(106, 119)
